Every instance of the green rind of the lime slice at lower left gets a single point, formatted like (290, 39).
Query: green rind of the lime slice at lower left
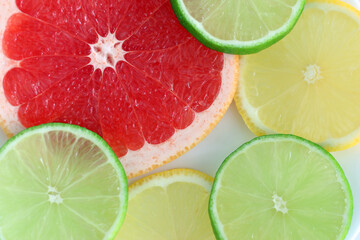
(93, 137)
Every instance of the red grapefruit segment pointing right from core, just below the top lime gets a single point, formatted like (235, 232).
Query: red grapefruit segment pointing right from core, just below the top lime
(193, 75)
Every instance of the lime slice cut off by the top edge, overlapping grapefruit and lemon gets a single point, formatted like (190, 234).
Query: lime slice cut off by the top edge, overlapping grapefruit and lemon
(238, 26)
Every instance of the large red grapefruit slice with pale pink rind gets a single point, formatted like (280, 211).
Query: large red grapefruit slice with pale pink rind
(126, 70)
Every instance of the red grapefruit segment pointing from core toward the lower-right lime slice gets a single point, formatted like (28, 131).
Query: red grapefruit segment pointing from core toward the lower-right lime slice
(157, 108)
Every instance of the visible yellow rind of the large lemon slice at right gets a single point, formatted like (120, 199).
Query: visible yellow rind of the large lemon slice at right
(249, 113)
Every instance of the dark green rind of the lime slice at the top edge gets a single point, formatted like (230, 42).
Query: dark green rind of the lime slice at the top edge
(234, 46)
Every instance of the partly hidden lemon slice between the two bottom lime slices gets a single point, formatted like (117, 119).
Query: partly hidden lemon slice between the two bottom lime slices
(169, 205)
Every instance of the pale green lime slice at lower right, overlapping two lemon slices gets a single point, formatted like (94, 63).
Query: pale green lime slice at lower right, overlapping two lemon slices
(280, 187)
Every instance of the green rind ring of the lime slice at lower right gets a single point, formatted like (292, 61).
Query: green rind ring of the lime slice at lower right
(217, 226)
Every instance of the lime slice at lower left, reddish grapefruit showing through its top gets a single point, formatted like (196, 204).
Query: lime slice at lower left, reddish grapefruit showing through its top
(60, 181)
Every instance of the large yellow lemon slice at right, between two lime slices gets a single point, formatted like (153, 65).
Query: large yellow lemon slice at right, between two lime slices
(308, 83)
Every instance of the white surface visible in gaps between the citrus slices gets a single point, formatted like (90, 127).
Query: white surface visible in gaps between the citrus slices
(231, 132)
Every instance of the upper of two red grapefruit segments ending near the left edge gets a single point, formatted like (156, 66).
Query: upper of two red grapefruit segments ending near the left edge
(28, 37)
